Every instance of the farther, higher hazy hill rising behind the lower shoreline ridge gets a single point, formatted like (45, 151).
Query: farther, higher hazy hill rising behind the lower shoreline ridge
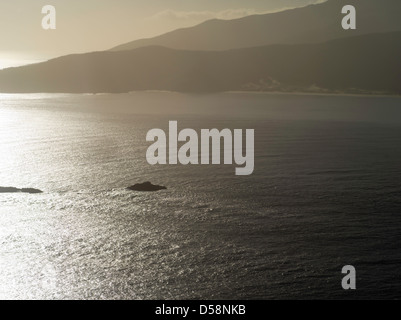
(311, 24)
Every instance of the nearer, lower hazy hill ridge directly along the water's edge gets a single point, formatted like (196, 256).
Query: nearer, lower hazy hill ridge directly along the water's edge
(368, 63)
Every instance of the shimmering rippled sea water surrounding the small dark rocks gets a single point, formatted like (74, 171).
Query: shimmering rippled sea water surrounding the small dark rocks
(326, 192)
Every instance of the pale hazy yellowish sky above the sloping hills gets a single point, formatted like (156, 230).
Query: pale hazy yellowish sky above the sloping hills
(95, 25)
